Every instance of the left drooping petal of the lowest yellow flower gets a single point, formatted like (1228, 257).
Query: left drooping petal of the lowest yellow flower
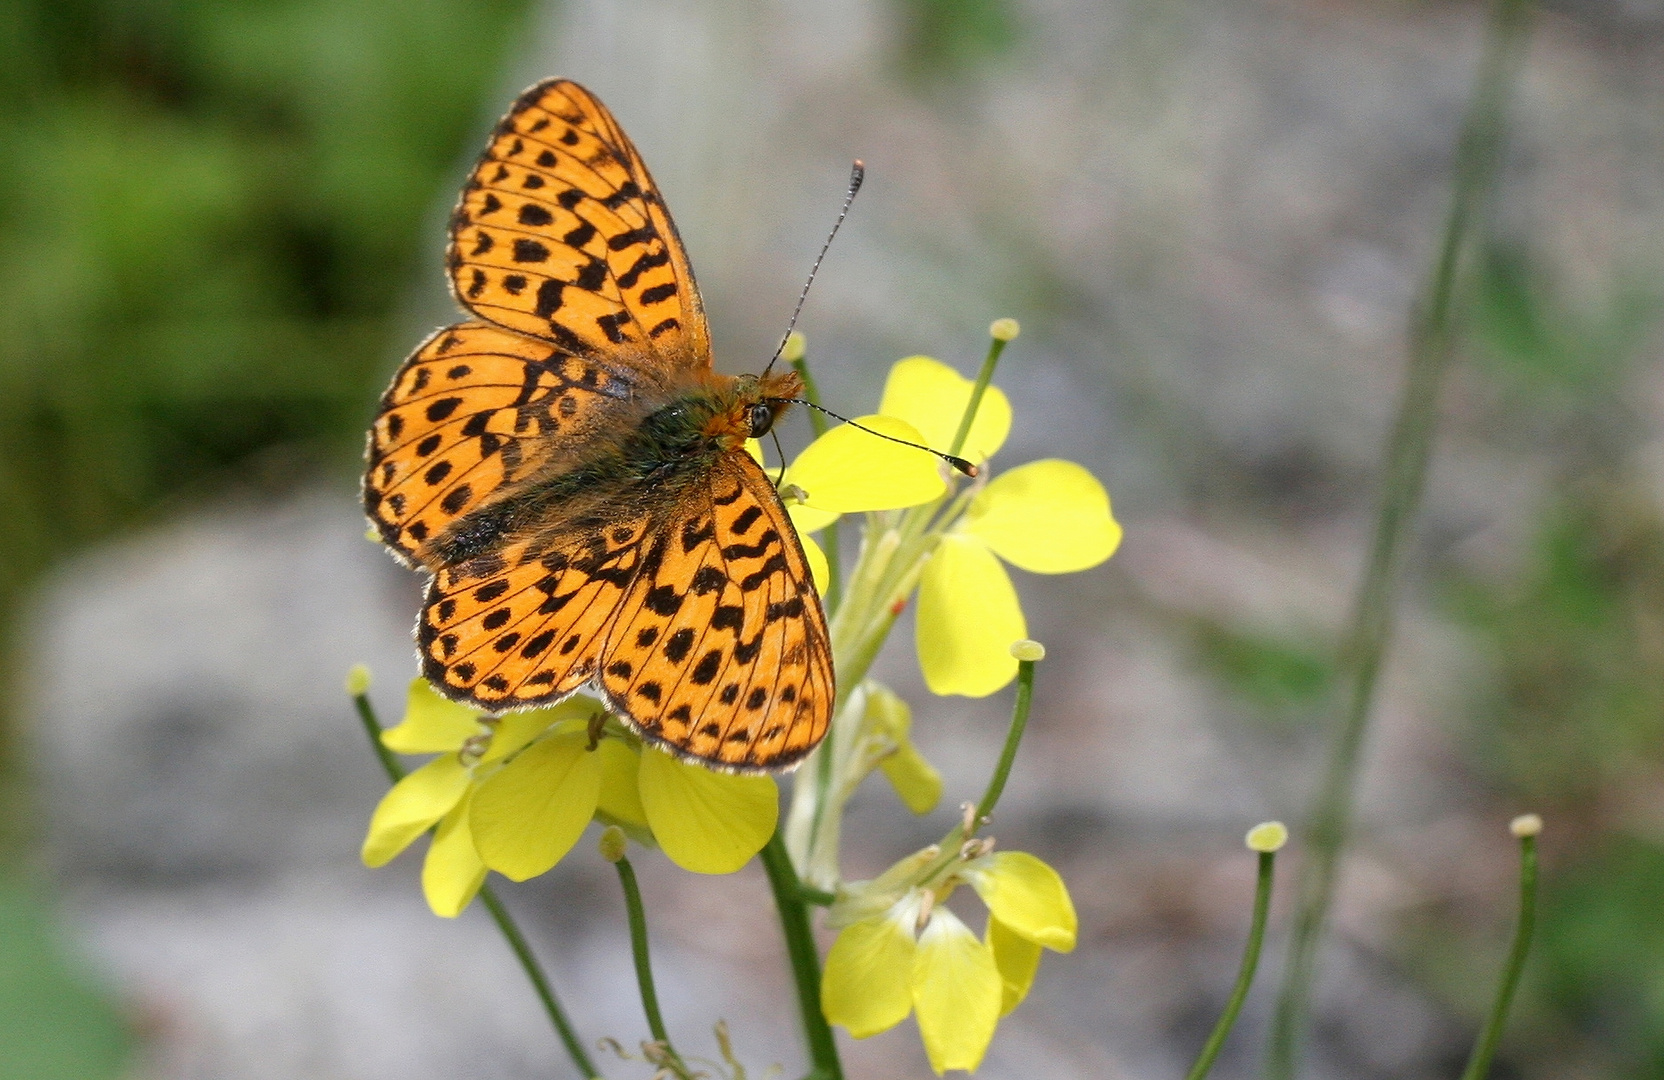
(868, 981)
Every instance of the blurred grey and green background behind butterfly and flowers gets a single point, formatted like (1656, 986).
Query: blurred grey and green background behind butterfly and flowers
(222, 227)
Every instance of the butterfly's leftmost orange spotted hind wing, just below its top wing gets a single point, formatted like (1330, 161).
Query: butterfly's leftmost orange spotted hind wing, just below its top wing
(470, 414)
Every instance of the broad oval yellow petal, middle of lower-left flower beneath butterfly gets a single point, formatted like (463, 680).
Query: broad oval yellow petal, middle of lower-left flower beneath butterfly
(532, 813)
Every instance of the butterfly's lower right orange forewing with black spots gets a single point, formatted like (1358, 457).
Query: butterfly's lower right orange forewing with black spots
(721, 648)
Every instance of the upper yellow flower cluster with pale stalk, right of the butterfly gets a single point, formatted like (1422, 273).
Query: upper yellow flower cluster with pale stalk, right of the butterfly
(951, 545)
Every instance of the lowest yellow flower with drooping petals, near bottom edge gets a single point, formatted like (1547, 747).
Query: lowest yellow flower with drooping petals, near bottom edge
(903, 953)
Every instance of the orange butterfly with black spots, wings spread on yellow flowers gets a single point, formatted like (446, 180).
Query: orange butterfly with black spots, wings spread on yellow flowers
(573, 472)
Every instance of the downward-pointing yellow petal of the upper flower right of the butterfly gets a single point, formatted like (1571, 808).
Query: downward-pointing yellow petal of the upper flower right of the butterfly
(968, 620)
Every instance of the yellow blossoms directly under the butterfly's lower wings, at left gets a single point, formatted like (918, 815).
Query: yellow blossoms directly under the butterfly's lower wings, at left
(515, 793)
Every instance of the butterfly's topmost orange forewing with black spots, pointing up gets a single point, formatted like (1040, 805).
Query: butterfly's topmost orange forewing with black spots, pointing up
(563, 235)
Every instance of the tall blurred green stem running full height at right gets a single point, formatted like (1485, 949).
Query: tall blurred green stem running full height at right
(1409, 450)
